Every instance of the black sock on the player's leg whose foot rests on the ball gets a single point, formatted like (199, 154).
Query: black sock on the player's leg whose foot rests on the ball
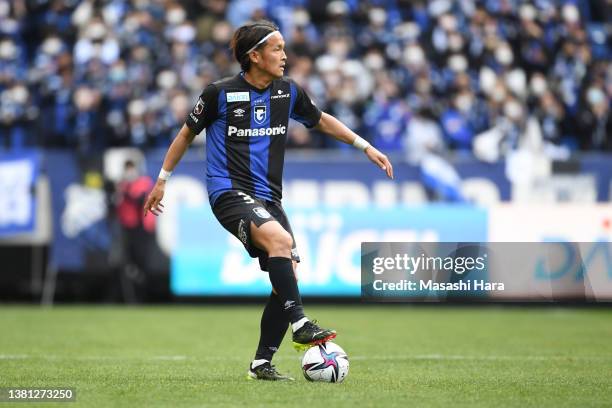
(283, 281)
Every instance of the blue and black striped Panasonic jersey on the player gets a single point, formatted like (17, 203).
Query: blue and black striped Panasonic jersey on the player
(246, 133)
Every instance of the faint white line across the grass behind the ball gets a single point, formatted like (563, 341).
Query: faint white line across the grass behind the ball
(297, 357)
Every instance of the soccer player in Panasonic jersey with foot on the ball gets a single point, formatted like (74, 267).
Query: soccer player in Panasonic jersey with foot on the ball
(246, 120)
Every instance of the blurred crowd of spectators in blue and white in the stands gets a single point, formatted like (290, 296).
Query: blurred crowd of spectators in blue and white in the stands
(411, 76)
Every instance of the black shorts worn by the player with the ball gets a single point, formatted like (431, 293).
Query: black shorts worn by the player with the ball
(235, 210)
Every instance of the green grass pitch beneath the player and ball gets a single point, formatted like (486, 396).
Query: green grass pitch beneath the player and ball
(400, 356)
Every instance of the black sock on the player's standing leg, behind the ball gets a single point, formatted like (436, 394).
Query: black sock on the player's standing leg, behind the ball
(274, 323)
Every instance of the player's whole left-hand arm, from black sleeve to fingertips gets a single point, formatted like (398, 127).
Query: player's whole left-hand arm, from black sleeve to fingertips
(204, 113)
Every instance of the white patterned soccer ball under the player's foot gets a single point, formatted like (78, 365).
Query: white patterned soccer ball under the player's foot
(326, 362)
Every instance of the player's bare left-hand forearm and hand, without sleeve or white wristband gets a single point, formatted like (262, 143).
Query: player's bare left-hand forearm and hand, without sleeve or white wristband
(174, 154)
